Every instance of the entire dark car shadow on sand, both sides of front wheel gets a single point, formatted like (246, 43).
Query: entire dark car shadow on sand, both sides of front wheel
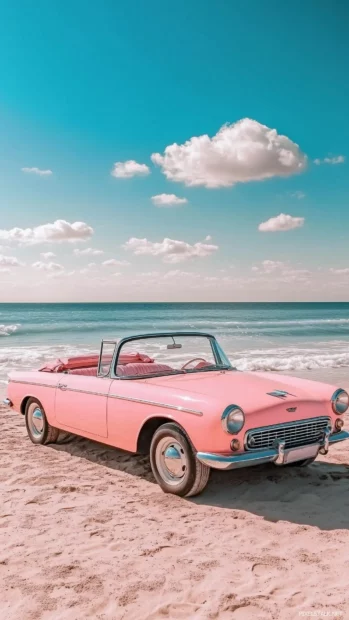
(316, 495)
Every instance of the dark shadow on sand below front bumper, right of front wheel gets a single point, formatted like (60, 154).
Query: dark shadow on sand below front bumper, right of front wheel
(316, 495)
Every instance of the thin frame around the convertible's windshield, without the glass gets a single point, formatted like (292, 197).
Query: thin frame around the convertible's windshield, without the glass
(218, 353)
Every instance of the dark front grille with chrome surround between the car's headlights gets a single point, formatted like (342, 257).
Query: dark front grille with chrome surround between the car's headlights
(299, 433)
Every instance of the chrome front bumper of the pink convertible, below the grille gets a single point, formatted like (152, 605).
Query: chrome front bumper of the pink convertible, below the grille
(278, 455)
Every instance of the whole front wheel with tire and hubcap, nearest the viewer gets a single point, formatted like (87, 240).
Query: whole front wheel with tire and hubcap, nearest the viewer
(174, 464)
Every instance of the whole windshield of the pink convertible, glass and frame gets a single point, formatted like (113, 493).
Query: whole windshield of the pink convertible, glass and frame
(168, 355)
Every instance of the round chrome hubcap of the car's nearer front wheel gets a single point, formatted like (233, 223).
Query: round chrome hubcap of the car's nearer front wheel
(171, 461)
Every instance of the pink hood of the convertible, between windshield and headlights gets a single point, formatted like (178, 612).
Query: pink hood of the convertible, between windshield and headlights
(250, 390)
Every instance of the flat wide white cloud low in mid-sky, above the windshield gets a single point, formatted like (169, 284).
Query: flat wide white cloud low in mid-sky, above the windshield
(170, 250)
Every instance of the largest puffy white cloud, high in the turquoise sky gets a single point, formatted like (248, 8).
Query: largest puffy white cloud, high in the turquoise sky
(241, 152)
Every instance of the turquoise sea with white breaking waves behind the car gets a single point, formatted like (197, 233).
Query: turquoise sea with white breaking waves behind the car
(305, 339)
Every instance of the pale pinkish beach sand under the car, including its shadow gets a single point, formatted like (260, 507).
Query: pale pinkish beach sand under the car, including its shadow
(86, 533)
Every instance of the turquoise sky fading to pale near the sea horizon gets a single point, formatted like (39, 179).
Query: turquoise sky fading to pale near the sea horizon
(85, 85)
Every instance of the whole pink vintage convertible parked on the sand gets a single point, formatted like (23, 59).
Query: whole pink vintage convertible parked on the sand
(177, 397)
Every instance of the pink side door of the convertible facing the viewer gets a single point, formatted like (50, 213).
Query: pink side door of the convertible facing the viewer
(81, 403)
